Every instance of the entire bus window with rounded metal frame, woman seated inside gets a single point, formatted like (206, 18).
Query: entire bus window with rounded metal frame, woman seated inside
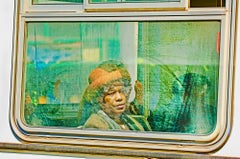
(149, 78)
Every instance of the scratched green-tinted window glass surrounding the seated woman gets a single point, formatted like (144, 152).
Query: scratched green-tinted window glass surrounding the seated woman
(177, 64)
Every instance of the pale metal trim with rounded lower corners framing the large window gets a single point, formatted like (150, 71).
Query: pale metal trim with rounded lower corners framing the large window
(176, 142)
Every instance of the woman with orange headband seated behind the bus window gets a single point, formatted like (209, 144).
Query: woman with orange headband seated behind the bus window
(105, 101)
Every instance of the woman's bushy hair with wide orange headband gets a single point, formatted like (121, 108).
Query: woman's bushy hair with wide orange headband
(99, 81)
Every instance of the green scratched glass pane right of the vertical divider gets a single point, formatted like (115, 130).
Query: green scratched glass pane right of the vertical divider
(178, 66)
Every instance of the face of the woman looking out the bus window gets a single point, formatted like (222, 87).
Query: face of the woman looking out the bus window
(114, 100)
